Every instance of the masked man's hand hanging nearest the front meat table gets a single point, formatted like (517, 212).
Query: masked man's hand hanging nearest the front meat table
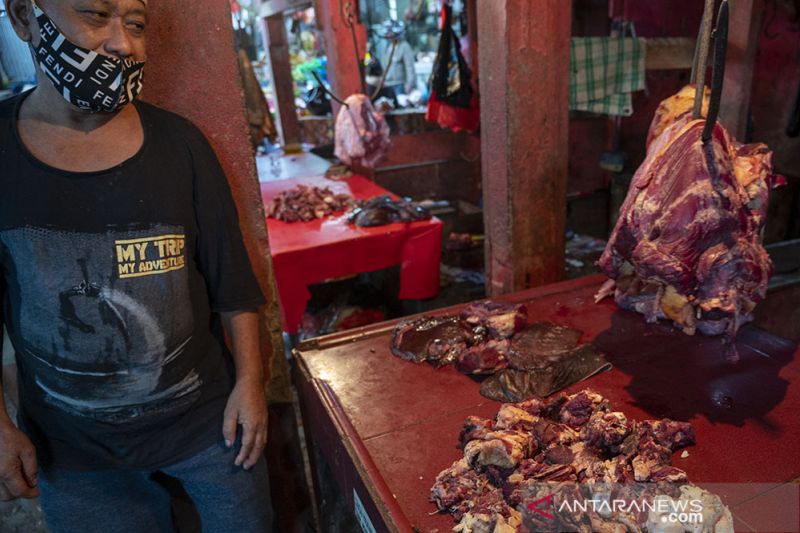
(247, 406)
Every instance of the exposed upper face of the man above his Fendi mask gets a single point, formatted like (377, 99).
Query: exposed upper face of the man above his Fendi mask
(108, 27)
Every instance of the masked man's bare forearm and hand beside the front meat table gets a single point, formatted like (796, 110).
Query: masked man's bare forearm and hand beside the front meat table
(247, 404)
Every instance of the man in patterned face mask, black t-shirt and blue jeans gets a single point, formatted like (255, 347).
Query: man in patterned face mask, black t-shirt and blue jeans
(119, 253)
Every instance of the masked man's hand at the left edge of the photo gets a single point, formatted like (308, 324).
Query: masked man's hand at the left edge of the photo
(18, 465)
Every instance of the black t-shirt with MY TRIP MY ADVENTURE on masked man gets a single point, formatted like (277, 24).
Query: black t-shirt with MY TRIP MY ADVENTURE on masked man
(110, 279)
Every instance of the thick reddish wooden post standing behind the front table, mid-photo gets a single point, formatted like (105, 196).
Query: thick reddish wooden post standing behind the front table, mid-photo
(524, 86)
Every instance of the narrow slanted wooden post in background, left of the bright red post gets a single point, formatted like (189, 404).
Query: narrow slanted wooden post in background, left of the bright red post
(281, 78)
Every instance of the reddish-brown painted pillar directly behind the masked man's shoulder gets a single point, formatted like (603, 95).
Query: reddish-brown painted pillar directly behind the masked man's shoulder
(192, 70)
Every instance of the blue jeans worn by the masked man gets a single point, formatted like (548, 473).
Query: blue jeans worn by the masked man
(227, 497)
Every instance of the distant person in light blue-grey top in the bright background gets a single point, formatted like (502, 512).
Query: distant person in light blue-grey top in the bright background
(401, 76)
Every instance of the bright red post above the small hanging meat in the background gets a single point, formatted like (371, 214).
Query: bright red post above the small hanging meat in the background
(343, 67)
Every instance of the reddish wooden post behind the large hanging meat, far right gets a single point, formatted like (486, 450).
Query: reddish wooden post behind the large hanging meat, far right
(745, 22)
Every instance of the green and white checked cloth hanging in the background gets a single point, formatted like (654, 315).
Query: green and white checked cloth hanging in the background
(605, 71)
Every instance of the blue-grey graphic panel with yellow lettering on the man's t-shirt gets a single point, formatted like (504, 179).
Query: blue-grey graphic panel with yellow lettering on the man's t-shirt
(104, 318)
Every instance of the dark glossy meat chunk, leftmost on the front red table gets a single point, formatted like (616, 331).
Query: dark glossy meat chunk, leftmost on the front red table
(438, 340)
